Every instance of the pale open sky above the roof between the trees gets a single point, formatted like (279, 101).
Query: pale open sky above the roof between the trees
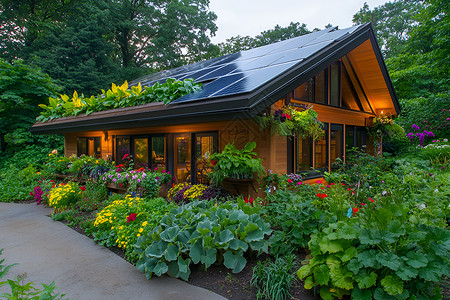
(251, 17)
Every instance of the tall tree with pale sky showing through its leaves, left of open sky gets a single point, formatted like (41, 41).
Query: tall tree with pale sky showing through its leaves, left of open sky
(159, 34)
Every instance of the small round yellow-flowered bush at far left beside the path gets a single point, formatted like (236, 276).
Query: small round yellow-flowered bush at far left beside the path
(63, 196)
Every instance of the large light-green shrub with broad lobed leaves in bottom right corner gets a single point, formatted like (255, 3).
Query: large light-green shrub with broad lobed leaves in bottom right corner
(387, 248)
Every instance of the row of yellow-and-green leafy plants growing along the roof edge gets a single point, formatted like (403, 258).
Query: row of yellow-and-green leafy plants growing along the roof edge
(116, 97)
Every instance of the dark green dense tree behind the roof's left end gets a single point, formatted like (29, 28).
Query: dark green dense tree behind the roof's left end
(77, 54)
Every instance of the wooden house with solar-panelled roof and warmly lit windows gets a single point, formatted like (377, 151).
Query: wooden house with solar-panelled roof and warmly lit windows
(340, 72)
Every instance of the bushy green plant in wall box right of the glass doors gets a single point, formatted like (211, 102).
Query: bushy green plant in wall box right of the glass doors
(236, 164)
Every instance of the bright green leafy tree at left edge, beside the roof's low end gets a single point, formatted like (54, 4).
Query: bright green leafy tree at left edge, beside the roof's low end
(22, 88)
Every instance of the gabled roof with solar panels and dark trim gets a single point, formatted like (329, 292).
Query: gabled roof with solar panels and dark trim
(244, 83)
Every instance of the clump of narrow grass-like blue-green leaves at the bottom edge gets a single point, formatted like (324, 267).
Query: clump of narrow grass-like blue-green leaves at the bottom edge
(273, 279)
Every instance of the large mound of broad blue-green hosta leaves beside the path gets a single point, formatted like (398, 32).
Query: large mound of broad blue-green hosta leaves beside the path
(202, 232)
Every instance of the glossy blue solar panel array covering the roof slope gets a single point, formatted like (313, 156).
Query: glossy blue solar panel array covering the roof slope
(245, 71)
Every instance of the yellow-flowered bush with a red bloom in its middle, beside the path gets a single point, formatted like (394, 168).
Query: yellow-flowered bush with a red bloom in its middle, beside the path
(124, 220)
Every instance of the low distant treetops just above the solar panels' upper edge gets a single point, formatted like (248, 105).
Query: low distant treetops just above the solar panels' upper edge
(277, 34)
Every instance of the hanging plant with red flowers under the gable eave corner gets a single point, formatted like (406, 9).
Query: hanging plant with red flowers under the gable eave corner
(291, 121)
